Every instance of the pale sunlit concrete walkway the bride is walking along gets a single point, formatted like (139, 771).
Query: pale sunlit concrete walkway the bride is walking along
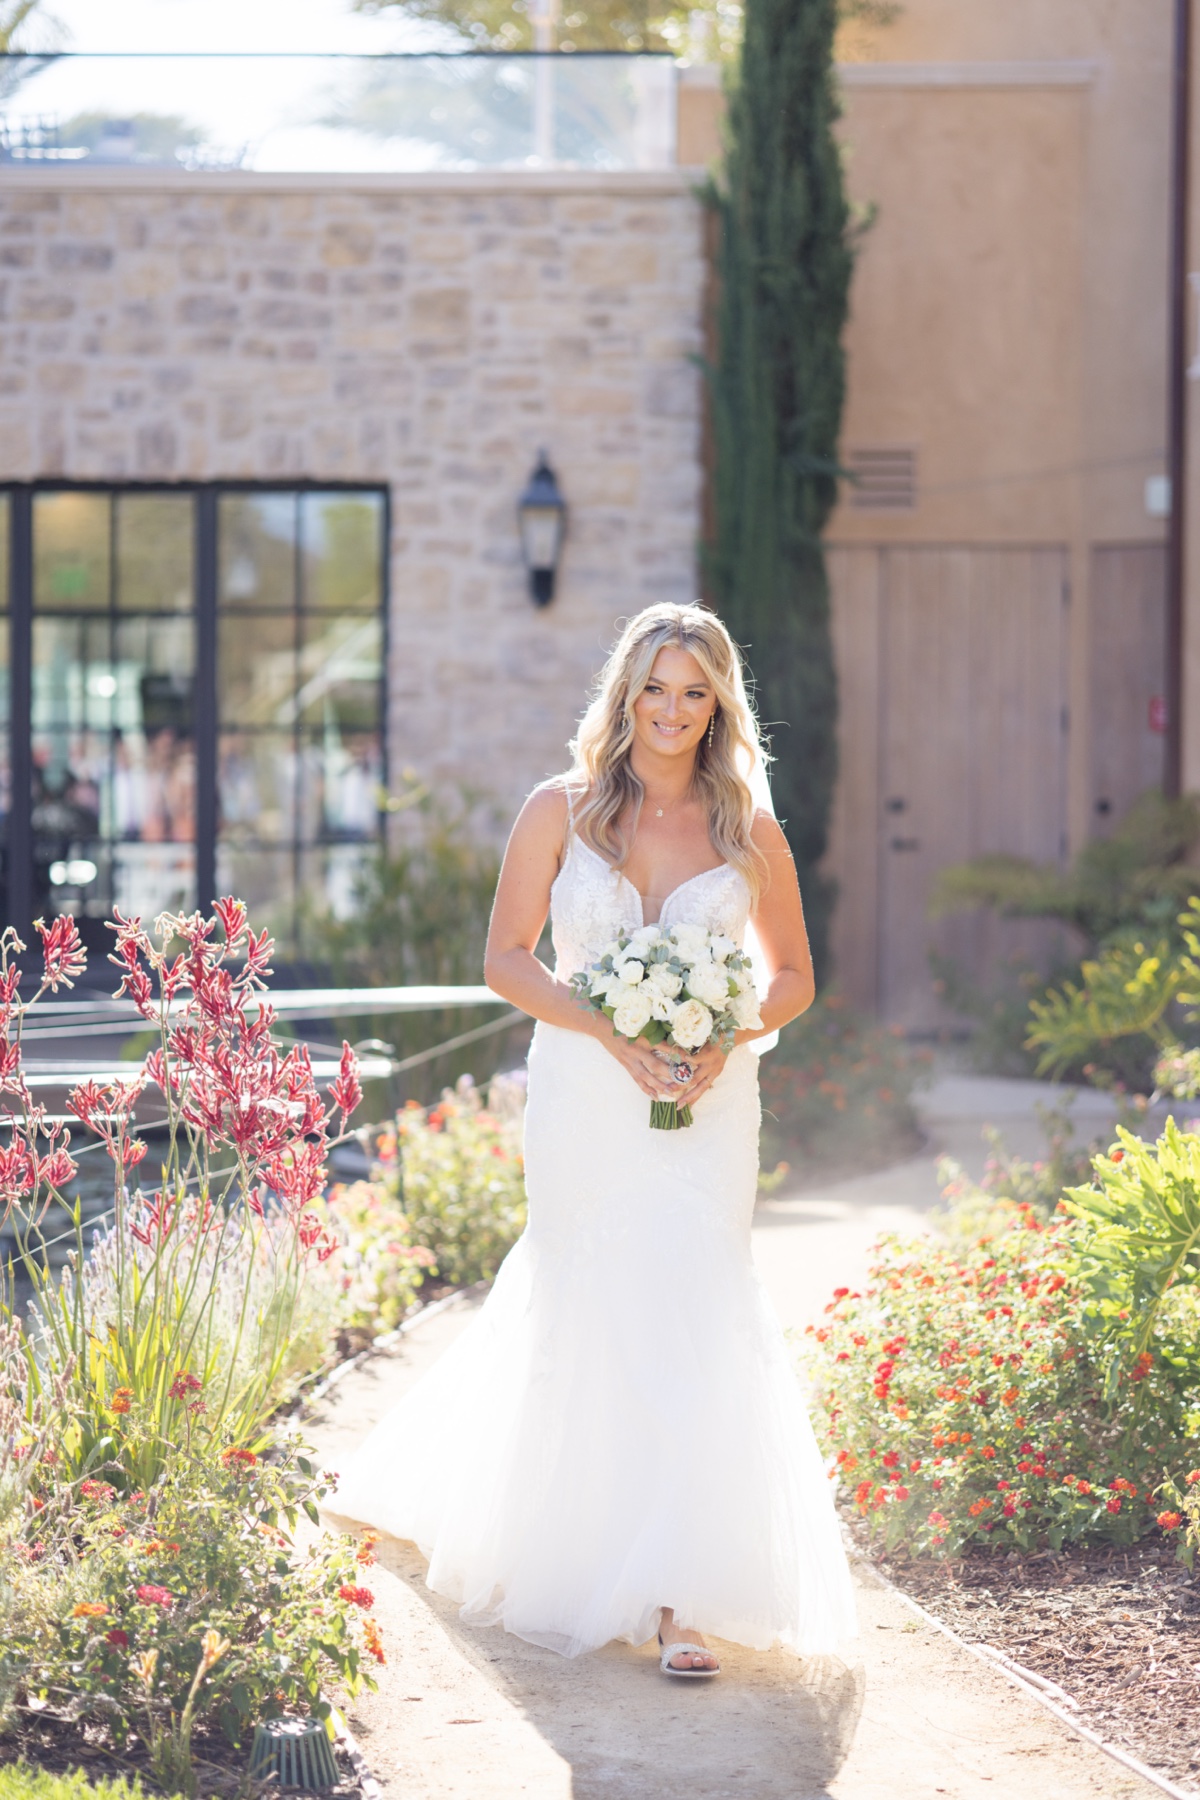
(483, 1716)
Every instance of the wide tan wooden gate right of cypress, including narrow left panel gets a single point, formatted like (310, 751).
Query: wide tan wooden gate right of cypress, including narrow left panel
(954, 735)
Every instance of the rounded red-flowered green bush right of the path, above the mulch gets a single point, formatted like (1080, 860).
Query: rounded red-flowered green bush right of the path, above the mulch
(971, 1396)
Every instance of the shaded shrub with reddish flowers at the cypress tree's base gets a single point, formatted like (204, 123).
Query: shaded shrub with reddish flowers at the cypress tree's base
(839, 1092)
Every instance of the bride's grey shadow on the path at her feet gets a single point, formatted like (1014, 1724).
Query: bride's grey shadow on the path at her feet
(775, 1727)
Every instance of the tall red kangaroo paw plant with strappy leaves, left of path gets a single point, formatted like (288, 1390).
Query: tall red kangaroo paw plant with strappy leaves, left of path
(177, 1322)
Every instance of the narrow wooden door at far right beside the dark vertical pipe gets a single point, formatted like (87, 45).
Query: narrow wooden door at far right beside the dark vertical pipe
(1127, 669)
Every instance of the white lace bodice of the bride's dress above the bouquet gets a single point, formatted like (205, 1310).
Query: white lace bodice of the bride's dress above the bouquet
(591, 903)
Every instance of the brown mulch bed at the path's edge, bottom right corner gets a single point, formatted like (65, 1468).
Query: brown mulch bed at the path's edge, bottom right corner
(1116, 1630)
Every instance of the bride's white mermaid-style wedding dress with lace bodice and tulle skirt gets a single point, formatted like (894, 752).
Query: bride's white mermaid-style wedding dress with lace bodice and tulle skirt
(622, 1428)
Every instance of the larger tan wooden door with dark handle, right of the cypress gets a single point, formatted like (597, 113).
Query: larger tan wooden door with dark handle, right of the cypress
(972, 751)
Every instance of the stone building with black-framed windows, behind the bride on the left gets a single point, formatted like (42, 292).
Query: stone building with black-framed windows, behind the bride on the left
(220, 386)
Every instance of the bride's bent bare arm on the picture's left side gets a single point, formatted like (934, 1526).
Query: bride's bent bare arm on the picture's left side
(532, 861)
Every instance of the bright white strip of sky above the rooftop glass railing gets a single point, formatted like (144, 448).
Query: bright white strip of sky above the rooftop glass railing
(323, 26)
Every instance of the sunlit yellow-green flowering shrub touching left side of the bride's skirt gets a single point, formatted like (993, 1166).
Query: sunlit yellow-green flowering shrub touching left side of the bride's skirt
(460, 1176)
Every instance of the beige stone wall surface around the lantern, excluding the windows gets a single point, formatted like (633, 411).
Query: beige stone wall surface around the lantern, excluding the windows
(424, 332)
